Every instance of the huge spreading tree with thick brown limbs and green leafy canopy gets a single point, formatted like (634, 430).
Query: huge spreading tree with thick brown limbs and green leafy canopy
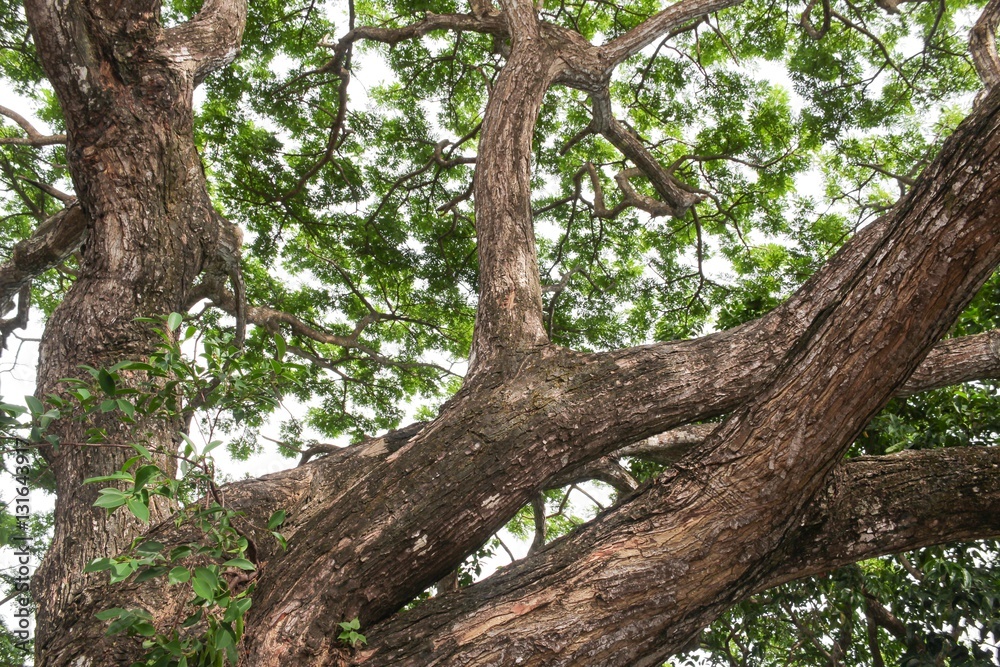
(639, 134)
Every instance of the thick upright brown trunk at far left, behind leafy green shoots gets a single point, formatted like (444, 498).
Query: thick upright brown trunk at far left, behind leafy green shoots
(151, 231)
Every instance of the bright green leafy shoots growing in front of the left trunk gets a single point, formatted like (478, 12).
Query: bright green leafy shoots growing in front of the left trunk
(166, 386)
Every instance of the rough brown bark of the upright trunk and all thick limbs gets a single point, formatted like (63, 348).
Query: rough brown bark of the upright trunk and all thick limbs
(763, 498)
